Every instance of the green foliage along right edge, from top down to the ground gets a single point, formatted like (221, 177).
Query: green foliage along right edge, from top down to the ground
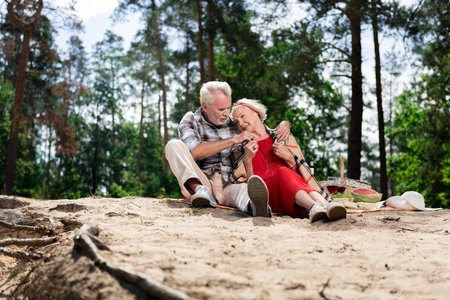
(421, 129)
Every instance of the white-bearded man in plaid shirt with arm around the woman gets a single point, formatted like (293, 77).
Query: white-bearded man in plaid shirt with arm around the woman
(202, 159)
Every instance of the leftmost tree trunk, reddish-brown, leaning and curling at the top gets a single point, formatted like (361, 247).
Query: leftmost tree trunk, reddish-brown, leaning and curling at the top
(27, 29)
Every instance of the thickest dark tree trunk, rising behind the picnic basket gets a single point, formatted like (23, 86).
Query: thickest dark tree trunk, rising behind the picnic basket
(355, 132)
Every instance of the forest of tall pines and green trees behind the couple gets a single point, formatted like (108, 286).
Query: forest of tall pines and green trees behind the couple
(65, 125)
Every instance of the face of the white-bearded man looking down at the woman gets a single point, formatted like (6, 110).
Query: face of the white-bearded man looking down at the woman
(218, 111)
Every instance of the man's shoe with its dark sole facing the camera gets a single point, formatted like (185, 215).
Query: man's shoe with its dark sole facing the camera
(259, 197)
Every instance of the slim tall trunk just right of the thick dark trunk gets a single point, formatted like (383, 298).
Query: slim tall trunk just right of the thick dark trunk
(382, 141)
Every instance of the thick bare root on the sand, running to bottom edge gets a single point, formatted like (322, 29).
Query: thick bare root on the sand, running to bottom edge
(83, 240)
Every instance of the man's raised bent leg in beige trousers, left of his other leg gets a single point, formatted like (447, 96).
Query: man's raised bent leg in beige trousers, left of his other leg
(190, 177)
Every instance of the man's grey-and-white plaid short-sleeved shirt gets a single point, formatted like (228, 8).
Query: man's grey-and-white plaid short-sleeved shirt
(194, 129)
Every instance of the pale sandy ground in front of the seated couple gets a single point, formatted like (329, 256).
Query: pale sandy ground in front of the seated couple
(225, 254)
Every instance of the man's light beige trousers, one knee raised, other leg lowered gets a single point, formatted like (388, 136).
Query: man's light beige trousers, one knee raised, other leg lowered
(184, 167)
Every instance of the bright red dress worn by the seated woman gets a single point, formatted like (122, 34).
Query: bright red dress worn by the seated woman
(282, 182)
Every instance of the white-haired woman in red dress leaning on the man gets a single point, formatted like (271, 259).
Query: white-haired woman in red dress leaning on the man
(278, 166)
